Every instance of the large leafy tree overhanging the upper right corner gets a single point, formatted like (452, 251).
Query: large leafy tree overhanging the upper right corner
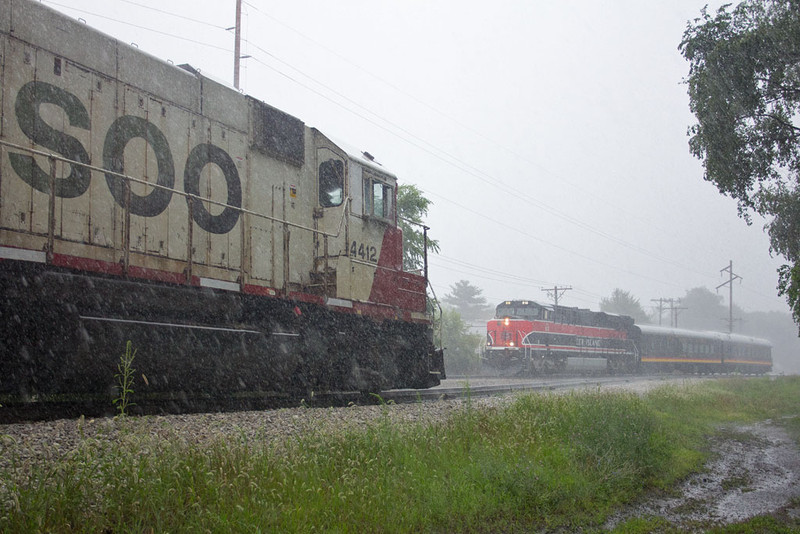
(744, 90)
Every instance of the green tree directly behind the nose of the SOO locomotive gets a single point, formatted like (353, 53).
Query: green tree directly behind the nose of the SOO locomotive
(412, 206)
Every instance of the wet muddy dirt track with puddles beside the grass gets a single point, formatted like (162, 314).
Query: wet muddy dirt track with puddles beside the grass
(753, 470)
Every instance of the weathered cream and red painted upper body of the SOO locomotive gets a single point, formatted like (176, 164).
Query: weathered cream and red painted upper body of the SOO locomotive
(238, 201)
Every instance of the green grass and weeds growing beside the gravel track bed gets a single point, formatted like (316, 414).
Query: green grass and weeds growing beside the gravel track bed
(543, 462)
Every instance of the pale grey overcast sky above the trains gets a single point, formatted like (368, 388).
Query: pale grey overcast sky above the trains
(550, 135)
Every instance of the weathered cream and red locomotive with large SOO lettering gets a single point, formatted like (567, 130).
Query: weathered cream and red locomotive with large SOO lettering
(242, 252)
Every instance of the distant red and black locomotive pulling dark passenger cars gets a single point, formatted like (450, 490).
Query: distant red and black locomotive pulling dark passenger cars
(527, 338)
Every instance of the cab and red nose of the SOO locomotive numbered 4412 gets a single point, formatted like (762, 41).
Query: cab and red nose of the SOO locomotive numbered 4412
(358, 251)
